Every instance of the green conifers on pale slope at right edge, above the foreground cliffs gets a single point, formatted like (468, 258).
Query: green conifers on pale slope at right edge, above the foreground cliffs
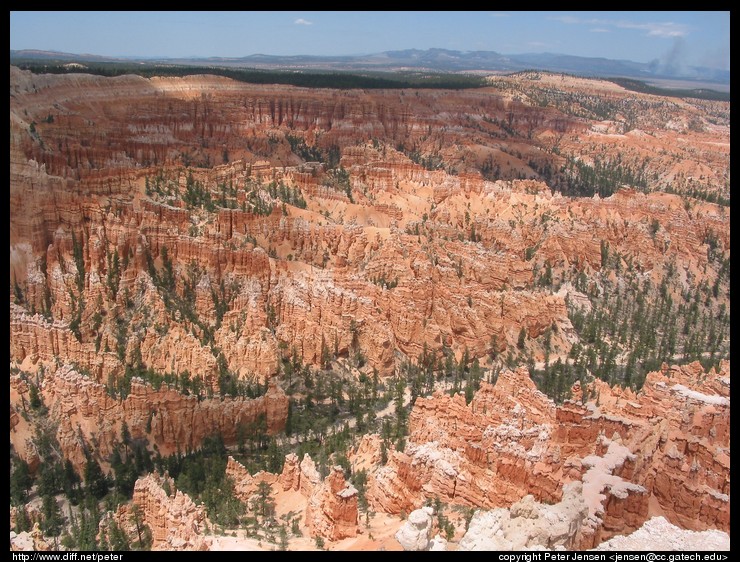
(633, 326)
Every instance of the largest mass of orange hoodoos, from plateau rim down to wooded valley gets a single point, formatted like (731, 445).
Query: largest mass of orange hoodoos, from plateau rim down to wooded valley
(264, 284)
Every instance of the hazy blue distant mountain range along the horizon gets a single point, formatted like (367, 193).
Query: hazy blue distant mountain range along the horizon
(430, 60)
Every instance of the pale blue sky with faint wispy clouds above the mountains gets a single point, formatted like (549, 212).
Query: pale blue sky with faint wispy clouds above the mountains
(694, 38)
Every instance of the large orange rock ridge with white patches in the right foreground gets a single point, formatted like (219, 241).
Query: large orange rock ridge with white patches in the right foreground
(511, 441)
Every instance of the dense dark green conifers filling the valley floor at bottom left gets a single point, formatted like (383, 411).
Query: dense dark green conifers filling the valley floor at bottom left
(200, 474)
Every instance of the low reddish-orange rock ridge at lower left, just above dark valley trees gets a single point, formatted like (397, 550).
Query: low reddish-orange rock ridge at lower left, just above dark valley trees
(87, 413)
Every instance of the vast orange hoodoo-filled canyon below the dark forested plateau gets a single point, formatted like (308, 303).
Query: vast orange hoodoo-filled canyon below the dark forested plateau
(197, 257)
